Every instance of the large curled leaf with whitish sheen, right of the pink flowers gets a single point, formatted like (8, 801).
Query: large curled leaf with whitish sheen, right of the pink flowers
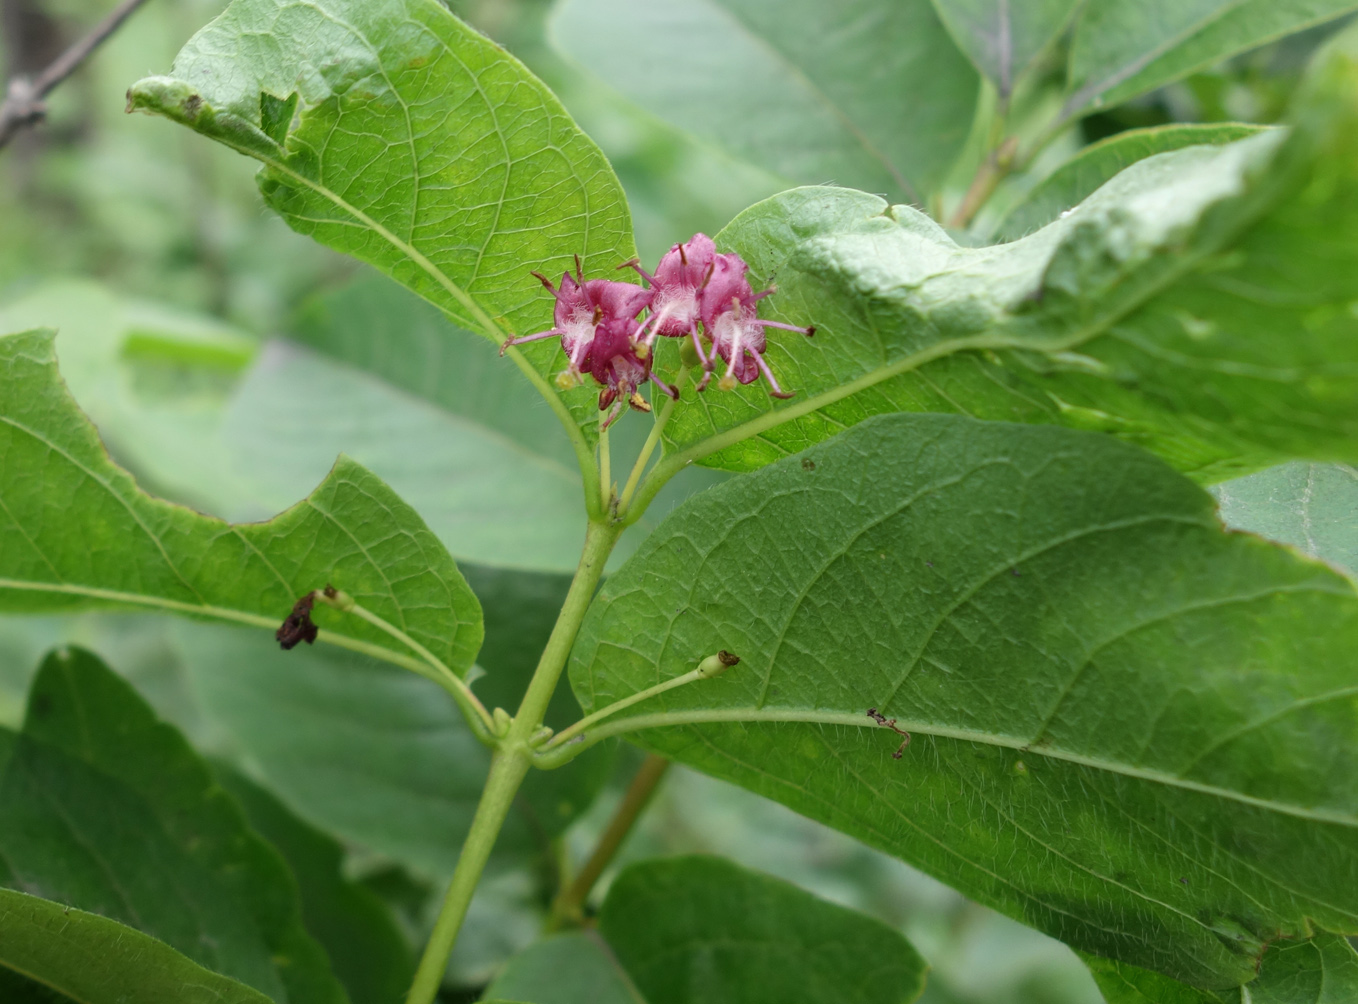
(1197, 305)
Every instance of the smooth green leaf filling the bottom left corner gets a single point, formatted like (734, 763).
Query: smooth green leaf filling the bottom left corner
(97, 961)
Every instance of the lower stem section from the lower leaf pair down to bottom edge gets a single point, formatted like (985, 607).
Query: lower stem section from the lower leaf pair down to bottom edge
(507, 774)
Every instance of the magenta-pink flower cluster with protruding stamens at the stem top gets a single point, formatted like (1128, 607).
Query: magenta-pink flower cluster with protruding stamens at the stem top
(696, 294)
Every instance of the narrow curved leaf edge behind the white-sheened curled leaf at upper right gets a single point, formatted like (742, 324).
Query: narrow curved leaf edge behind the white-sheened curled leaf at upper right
(1098, 164)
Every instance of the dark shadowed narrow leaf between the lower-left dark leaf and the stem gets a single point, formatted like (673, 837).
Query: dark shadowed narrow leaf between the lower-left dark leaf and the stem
(367, 950)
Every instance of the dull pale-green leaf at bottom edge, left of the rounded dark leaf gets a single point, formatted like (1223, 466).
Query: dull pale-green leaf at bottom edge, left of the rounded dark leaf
(567, 969)
